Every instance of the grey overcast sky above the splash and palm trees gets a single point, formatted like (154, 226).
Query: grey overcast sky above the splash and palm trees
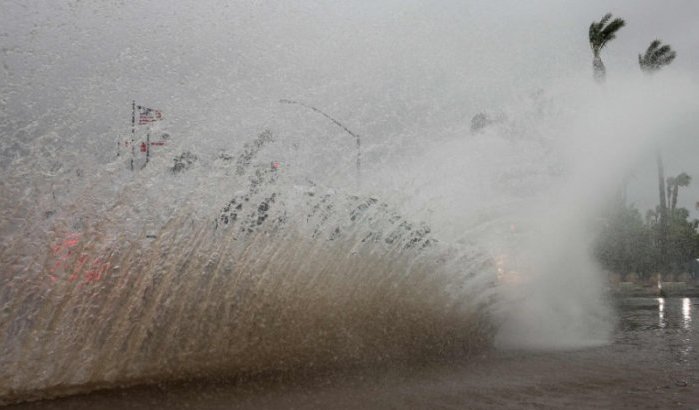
(219, 65)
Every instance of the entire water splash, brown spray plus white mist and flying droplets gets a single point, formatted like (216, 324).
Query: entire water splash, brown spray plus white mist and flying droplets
(243, 250)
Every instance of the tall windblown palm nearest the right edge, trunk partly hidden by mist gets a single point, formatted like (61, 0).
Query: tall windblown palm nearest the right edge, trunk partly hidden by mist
(656, 57)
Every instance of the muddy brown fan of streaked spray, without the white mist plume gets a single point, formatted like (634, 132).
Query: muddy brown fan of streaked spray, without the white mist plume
(279, 277)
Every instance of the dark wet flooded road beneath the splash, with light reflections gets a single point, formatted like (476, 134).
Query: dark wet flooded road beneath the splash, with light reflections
(652, 363)
